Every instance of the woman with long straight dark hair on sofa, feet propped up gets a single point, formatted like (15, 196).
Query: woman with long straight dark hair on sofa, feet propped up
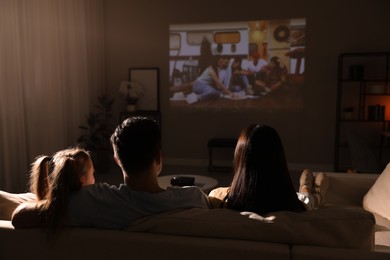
(261, 181)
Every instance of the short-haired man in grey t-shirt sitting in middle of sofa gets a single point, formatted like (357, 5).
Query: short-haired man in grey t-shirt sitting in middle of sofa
(137, 150)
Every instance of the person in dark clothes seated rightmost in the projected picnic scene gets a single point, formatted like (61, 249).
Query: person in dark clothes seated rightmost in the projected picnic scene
(271, 77)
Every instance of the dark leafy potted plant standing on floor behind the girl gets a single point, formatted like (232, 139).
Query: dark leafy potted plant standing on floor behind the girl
(96, 133)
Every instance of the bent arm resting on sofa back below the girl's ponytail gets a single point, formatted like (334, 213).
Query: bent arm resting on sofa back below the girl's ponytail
(29, 215)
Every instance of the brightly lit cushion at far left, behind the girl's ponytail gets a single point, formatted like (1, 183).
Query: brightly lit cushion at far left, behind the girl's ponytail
(9, 201)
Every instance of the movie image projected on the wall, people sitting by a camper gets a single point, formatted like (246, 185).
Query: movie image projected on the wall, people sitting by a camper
(253, 65)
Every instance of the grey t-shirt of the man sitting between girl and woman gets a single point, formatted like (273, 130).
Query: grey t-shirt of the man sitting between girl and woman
(104, 206)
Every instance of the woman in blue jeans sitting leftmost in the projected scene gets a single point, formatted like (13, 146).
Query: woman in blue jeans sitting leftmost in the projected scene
(208, 85)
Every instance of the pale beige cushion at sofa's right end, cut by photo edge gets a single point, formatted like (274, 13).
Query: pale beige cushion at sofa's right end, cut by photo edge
(377, 198)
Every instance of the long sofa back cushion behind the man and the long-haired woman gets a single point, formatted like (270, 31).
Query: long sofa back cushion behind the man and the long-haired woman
(333, 227)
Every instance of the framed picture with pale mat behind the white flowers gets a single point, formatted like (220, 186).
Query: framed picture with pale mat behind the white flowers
(148, 79)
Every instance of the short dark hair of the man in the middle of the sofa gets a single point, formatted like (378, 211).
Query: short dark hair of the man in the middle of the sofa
(136, 142)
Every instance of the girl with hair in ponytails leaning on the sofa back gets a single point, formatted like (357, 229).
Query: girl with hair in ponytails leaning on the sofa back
(52, 180)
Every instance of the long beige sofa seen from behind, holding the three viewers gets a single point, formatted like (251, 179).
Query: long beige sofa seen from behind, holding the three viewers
(341, 230)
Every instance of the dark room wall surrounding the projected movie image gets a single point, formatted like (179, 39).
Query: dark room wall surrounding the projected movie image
(137, 36)
